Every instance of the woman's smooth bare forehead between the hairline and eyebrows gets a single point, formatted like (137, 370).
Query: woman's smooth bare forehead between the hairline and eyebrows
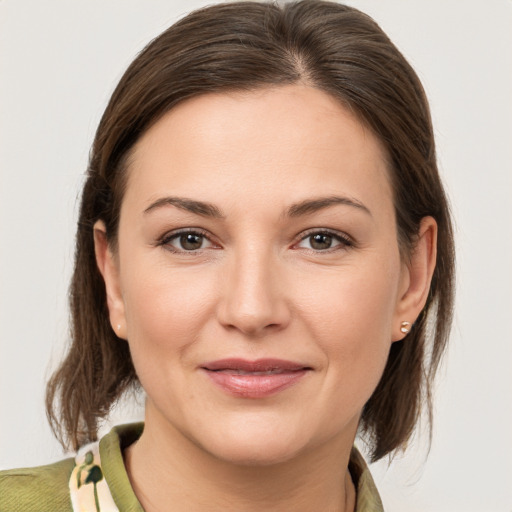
(273, 144)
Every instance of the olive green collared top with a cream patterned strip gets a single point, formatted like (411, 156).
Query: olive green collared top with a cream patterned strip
(97, 480)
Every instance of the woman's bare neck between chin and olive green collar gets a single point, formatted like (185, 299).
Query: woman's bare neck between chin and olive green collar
(167, 469)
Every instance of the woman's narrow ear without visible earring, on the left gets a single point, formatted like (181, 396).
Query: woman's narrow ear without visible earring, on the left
(109, 269)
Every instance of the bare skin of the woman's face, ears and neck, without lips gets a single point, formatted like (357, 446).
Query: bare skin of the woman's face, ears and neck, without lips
(258, 287)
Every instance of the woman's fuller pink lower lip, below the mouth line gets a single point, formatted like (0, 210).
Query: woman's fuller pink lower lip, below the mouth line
(255, 386)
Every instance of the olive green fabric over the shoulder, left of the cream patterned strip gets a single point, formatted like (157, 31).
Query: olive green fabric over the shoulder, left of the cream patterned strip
(41, 489)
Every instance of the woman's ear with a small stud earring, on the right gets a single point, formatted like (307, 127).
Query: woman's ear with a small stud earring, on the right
(416, 278)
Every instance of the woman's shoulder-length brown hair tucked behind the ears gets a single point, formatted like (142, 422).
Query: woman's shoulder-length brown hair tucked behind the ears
(243, 46)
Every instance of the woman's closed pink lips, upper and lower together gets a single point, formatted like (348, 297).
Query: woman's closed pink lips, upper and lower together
(254, 379)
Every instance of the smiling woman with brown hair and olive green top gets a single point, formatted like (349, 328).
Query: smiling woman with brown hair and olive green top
(262, 243)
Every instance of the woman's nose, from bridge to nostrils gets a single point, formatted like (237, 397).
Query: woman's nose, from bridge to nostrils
(253, 300)
